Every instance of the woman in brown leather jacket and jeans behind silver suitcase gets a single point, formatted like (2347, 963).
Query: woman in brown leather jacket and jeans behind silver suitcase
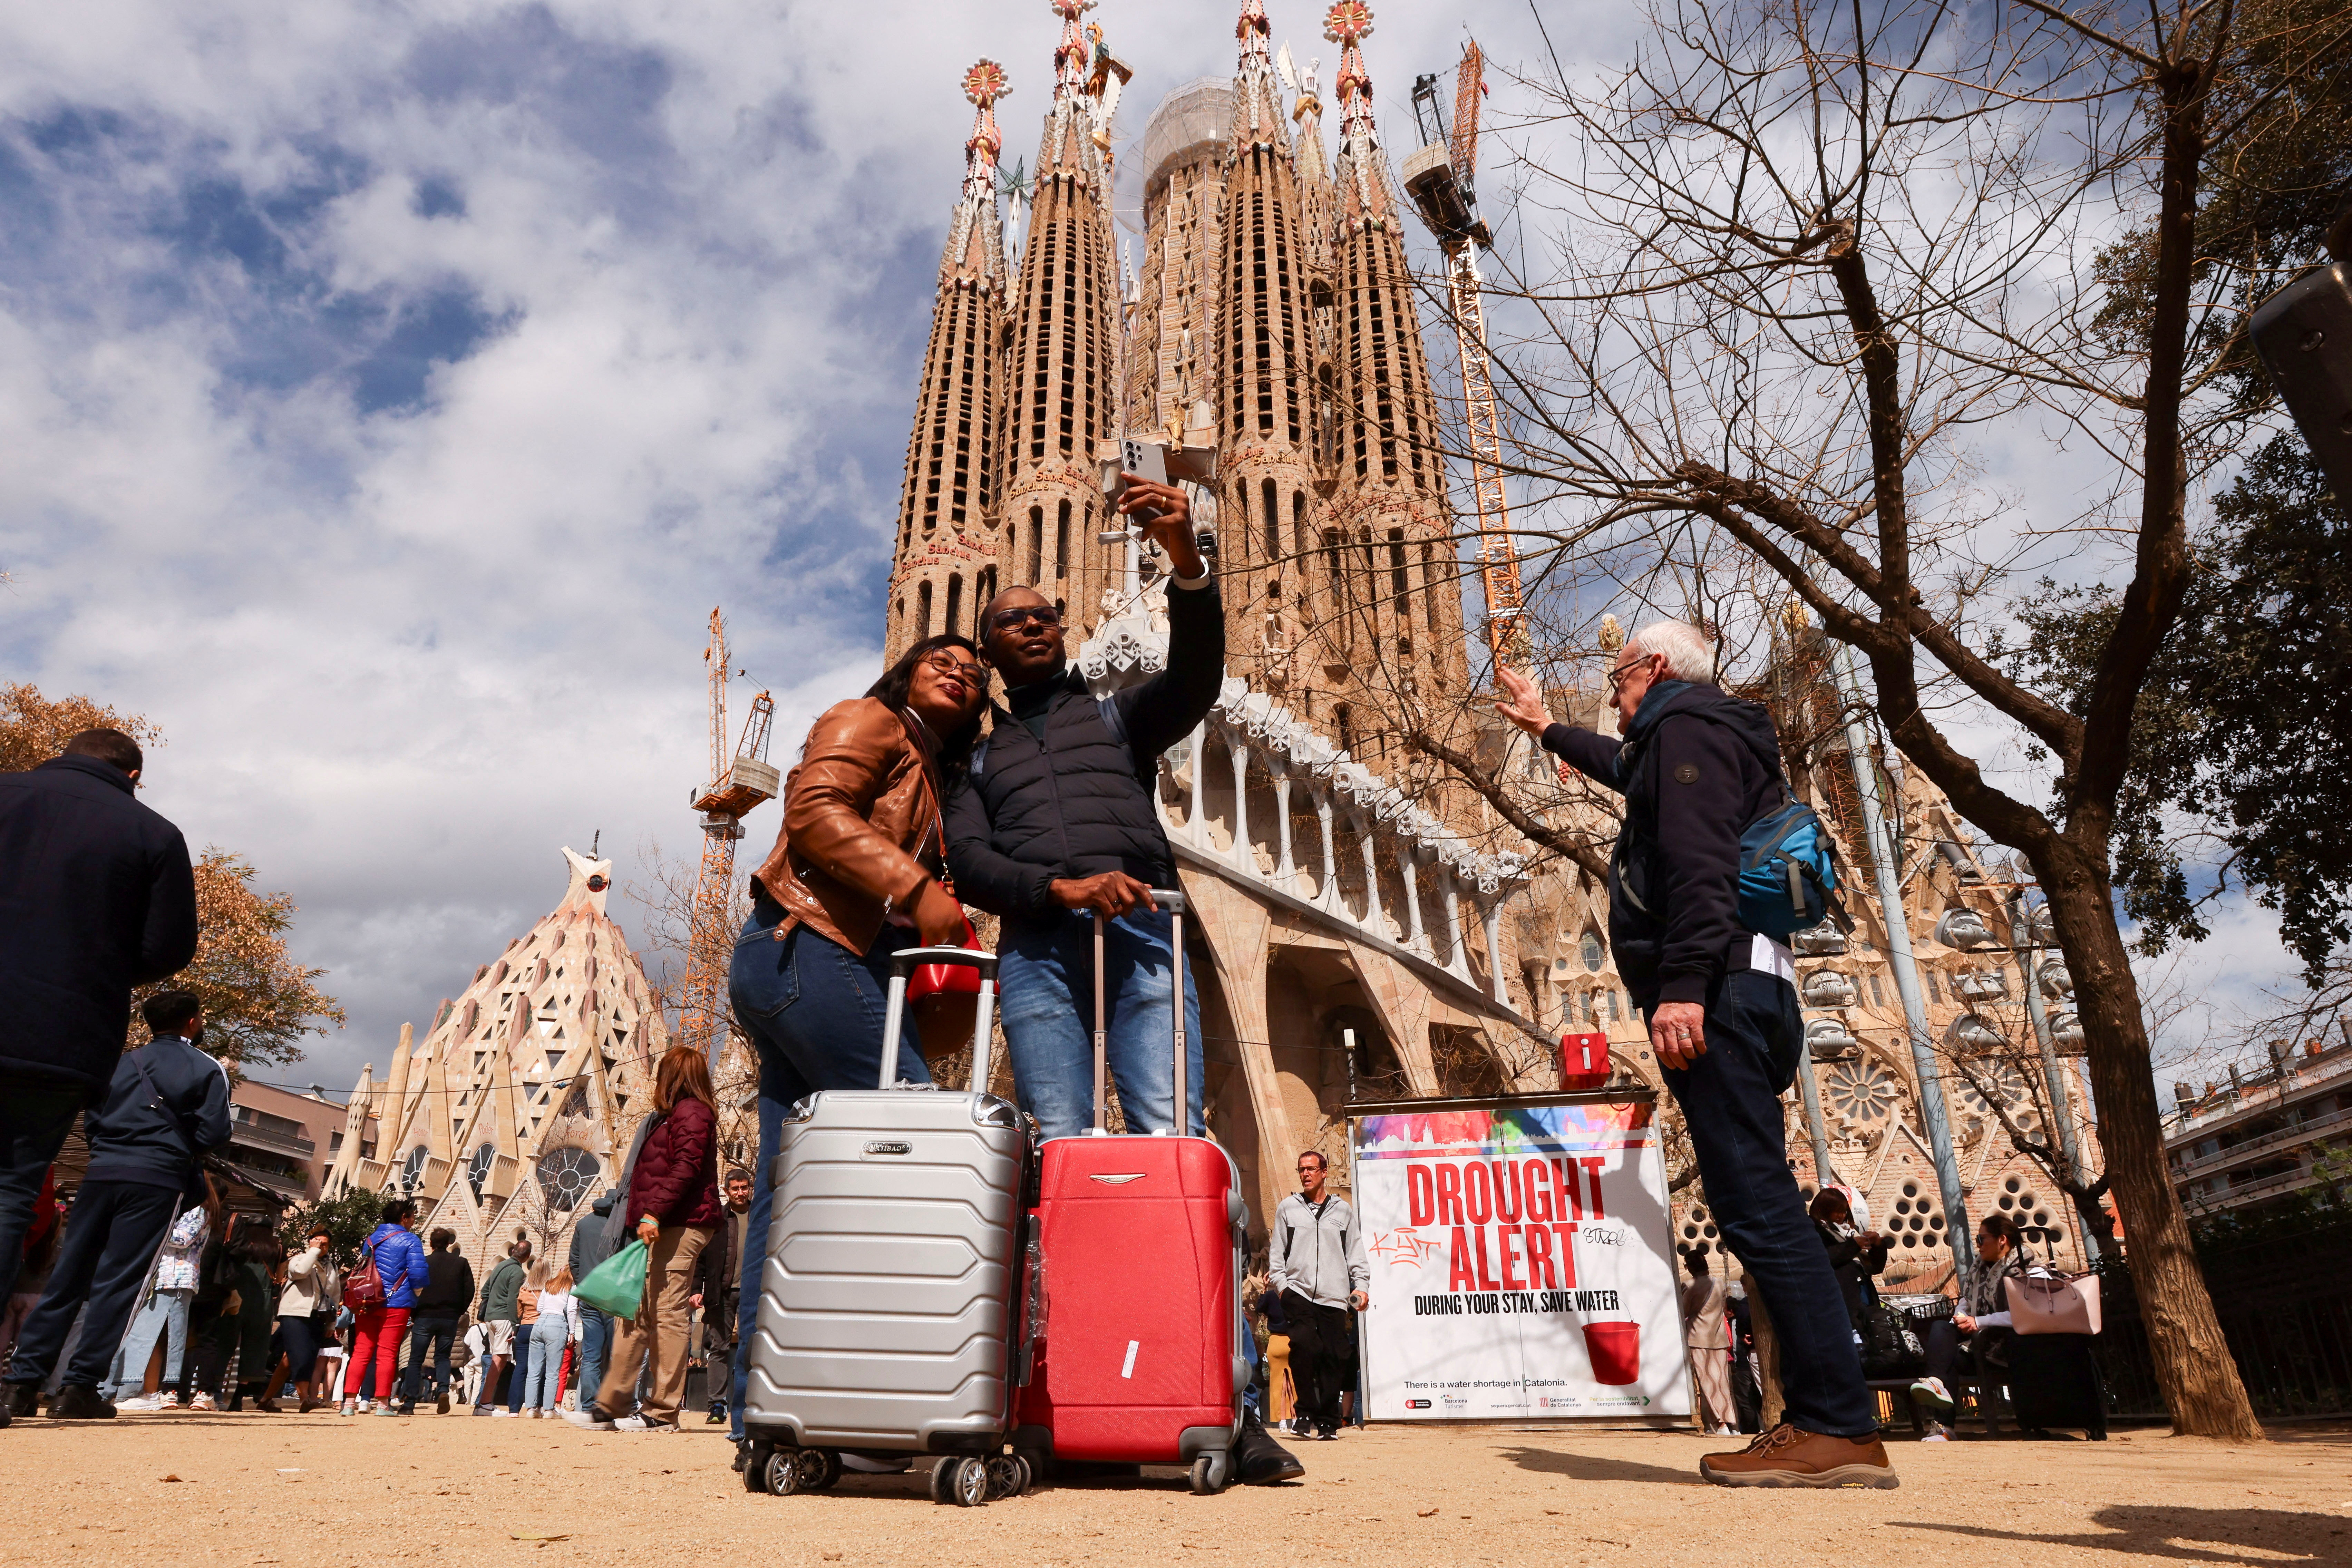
(857, 873)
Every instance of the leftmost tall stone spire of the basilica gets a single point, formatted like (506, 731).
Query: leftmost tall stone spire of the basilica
(947, 556)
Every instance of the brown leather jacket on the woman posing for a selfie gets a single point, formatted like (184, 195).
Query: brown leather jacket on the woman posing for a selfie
(860, 826)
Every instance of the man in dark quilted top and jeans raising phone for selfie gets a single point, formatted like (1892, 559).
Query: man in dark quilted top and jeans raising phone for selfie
(1055, 824)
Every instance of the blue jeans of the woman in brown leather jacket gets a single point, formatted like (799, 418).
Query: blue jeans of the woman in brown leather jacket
(813, 1012)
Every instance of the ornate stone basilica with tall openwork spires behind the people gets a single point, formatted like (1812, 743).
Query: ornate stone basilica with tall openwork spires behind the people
(1368, 925)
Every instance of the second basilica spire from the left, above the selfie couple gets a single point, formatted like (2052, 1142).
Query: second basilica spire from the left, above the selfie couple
(1064, 361)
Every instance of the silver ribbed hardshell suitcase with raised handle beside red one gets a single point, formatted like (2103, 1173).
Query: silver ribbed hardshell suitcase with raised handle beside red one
(893, 1285)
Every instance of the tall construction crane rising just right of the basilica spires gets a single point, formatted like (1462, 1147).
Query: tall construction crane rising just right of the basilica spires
(1441, 180)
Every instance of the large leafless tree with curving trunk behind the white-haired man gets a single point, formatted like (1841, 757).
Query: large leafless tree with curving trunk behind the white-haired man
(1789, 267)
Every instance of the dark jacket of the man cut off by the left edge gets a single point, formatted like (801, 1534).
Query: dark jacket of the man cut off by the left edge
(95, 899)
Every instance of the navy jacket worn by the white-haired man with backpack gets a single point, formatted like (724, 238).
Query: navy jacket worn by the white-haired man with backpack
(1695, 770)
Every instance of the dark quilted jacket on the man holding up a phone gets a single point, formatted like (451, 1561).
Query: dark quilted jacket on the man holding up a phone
(1081, 800)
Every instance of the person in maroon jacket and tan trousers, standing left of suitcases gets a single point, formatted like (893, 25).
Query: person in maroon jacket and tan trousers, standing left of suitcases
(674, 1195)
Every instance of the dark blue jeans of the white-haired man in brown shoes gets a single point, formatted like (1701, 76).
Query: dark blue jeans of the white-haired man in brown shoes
(1732, 1104)
